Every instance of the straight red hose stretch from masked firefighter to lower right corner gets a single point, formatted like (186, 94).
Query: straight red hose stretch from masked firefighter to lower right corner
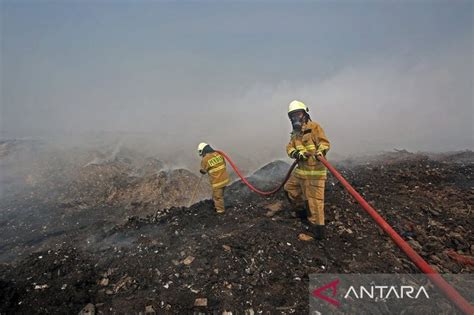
(435, 277)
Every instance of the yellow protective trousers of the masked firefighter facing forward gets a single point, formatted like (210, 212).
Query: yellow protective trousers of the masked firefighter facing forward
(311, 190)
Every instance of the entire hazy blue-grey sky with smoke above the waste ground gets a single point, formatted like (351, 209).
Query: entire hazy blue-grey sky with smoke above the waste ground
(376, 75)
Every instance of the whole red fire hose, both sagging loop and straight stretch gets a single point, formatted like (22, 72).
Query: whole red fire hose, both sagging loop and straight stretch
(435, 277)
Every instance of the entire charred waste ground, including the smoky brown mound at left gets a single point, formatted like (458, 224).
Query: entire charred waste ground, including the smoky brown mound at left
(113, 234)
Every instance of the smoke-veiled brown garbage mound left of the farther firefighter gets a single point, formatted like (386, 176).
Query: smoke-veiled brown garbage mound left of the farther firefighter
(79, 179)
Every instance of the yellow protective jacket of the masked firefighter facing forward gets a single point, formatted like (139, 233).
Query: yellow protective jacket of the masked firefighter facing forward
(311, 139)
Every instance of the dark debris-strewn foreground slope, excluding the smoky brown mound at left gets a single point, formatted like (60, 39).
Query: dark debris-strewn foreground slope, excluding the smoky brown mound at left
(251, 258)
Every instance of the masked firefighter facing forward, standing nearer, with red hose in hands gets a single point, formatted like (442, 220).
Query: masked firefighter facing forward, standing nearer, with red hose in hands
(307, 182)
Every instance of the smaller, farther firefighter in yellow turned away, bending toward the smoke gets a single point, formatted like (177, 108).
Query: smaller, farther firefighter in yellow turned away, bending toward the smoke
(214, 164)
